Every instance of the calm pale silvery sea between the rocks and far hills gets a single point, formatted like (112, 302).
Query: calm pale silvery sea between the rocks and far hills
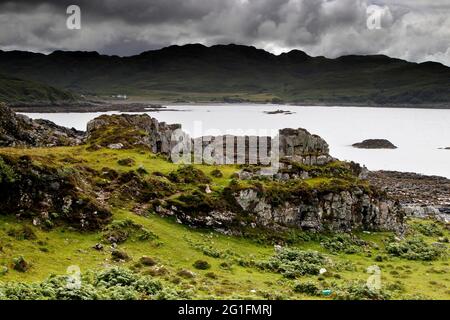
(418, 133)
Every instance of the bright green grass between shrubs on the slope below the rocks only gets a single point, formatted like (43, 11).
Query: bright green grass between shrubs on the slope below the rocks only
(174, 250)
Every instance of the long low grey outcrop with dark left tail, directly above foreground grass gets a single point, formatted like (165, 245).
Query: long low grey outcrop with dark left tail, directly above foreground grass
(334, 211)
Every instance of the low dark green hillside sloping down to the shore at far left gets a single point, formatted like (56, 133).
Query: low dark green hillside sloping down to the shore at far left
(14, 90)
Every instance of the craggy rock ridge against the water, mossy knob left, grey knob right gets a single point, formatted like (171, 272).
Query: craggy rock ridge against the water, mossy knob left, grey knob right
(142, 130)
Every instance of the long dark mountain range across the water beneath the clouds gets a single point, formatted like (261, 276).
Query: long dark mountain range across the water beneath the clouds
(234, 73)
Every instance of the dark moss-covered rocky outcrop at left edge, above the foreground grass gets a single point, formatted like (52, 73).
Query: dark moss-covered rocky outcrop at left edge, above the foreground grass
(48, 195)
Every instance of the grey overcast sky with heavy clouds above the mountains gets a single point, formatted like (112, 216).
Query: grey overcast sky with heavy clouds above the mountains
(415, 30)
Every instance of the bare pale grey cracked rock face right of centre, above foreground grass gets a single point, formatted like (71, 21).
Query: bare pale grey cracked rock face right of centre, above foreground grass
(344, 211)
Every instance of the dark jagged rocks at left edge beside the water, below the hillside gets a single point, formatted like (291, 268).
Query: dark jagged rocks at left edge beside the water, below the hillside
(20, 131)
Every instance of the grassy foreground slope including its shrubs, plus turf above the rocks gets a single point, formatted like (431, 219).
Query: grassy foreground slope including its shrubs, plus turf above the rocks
(182, 262)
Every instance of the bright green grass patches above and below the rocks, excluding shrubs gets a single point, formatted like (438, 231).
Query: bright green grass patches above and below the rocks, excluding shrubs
(177, 247)
